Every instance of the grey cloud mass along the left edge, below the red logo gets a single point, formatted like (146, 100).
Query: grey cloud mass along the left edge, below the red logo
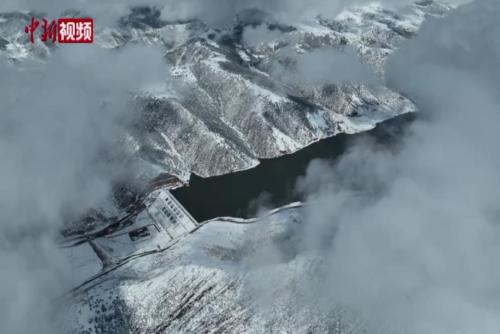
(60, 129)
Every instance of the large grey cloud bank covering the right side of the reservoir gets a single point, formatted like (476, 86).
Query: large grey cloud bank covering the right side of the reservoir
(409, 238)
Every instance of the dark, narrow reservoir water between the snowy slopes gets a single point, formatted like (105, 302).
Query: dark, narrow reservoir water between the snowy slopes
(272, 183)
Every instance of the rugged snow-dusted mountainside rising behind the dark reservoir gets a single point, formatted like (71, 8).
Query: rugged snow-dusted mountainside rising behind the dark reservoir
(223, 109)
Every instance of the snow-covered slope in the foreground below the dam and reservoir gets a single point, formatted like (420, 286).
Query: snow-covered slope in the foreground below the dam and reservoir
(208, 282)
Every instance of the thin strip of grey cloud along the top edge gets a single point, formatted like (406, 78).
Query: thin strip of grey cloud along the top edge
(212, 12)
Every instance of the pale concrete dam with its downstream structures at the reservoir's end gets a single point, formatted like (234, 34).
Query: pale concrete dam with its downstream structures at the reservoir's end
(161, 221)
